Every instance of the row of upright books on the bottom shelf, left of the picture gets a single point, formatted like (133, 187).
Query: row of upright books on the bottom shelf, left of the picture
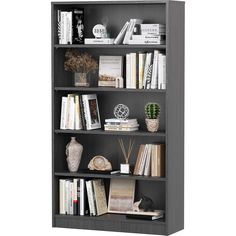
(80, 197)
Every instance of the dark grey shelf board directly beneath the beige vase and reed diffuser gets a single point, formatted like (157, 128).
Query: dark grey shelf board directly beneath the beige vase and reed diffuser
(107, 176)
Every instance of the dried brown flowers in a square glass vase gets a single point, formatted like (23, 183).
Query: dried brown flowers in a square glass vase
(81, 64)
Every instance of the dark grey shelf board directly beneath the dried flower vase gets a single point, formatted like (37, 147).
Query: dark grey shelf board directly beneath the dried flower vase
(101, 89)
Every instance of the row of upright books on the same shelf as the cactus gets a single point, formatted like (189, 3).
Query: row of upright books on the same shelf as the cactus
(80, 112)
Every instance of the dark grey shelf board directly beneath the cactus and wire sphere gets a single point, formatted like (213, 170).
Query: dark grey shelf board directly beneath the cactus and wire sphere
(102, 132)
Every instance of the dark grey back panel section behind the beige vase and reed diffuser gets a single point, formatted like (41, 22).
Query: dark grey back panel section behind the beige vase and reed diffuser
(104, 145)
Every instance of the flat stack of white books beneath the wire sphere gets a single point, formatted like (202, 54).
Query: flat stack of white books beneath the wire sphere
(114, 124)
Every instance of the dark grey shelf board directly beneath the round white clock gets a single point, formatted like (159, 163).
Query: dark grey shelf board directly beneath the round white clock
(110, 46)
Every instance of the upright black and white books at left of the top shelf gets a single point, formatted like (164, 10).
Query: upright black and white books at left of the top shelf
(70, 26)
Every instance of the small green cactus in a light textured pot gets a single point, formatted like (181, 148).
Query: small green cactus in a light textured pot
(152, 111)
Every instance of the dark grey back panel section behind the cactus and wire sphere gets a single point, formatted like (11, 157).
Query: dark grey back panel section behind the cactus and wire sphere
(108, 100)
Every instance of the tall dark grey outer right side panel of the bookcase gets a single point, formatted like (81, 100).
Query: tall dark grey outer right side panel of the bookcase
(175, 116)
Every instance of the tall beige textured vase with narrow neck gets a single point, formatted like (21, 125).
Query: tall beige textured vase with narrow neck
(73, 152)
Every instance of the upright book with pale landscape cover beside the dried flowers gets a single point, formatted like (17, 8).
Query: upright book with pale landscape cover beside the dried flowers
(110, 68)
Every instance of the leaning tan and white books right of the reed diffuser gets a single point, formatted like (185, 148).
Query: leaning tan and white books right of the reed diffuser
(150, 160)
